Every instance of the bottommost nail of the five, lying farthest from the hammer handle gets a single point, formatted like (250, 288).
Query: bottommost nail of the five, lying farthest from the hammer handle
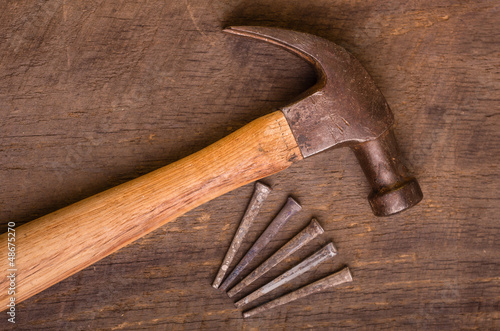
(343, 276)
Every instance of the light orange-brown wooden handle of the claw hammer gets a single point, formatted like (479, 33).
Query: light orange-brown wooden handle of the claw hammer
(53, 247)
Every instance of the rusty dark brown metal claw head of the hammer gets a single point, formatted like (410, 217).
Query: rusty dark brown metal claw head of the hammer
(344, 108)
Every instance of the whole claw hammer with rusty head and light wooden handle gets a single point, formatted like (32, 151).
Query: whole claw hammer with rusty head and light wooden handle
(344, 108)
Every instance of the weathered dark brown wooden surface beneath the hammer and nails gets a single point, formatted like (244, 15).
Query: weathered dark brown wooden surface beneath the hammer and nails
(94, 93)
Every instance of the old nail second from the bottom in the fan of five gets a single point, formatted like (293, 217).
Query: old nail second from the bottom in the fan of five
(312, 261)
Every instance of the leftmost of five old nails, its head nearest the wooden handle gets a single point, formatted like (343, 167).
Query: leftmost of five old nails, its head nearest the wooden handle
(260, 194)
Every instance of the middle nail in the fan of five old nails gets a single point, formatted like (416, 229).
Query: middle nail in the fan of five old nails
(306, 235)
